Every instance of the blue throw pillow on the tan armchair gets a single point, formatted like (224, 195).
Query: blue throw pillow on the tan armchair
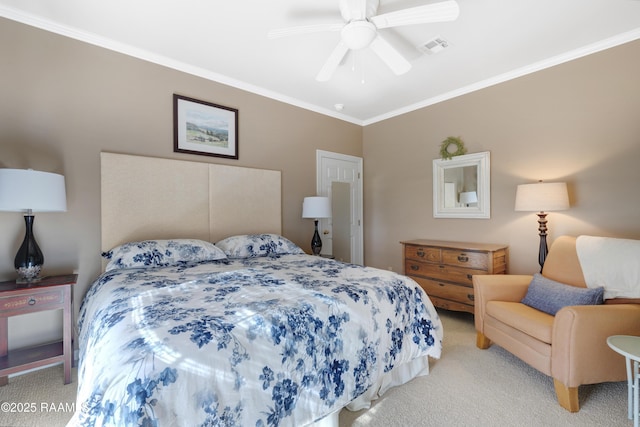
(550, 296)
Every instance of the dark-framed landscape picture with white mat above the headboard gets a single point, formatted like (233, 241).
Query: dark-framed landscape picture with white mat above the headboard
(204, 128)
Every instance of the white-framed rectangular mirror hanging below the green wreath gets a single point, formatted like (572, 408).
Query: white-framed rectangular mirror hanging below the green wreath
(462, 186)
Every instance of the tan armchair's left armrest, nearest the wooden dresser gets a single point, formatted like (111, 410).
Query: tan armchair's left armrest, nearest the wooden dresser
(497, 287)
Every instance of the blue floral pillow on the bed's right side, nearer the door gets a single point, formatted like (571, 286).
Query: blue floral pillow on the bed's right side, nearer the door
(255, 245)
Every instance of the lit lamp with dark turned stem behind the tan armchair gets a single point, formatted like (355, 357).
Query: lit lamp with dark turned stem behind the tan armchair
(542, 197)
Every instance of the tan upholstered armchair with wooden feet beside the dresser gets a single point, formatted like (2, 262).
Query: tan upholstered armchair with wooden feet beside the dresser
(569, 346)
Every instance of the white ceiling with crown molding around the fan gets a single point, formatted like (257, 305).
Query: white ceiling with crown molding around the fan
(226, 41)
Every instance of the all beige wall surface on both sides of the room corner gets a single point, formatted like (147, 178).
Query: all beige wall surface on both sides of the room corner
(64, 101)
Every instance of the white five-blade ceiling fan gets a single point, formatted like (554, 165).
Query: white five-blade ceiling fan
(360, 30)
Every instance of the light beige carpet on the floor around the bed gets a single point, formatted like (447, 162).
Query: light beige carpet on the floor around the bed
(466, 387)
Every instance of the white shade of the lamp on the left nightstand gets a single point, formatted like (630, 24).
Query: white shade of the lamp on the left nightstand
(24, 189)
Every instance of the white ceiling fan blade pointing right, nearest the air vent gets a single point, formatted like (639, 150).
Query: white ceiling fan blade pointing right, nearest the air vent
(435, 12)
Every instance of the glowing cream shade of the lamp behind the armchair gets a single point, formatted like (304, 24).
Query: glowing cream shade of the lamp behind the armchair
(542, 197)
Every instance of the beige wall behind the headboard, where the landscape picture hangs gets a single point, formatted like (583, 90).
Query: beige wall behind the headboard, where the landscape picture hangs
(63, 102)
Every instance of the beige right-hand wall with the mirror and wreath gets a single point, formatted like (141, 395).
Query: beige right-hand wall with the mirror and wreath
(577, 122)
